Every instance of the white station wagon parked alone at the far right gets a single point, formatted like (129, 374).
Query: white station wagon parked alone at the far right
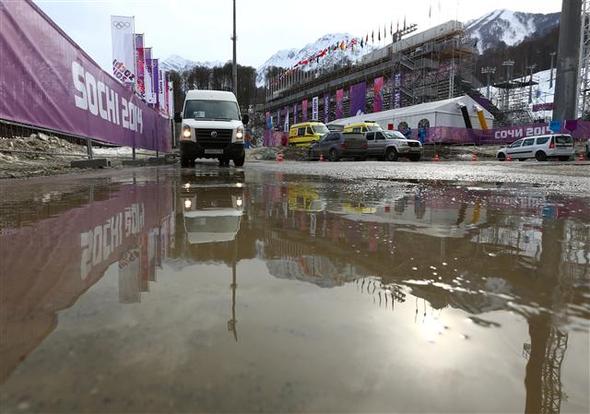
(541, 147)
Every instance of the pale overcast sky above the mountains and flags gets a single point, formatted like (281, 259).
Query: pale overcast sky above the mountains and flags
(200, 30)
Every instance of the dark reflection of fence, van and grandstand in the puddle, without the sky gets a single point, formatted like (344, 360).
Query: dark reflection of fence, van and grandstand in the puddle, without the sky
(474, 249)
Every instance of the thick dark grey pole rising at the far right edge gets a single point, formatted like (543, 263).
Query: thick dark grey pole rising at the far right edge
(568, 62)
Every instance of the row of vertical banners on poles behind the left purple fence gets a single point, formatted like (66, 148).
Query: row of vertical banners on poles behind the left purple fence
(134, 65)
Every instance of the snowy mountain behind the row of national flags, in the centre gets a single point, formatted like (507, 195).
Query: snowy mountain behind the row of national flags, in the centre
(289, 57)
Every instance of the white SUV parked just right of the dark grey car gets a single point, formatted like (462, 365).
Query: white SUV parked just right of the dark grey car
(391, 145)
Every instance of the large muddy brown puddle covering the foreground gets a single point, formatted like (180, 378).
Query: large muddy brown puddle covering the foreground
(217, 290)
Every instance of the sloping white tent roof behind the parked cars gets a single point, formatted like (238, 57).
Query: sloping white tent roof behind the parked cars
(449, 106)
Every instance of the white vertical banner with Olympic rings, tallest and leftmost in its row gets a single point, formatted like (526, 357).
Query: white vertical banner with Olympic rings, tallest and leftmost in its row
(122, 32)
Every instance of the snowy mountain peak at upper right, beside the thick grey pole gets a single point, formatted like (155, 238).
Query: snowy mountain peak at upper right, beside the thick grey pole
(509, 27)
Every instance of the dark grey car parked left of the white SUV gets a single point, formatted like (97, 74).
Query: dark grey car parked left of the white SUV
(337, 145)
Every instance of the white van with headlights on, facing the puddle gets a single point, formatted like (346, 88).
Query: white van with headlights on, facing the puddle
(211, 128)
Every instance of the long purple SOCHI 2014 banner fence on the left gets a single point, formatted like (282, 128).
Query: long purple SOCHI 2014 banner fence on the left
(48, 81)
